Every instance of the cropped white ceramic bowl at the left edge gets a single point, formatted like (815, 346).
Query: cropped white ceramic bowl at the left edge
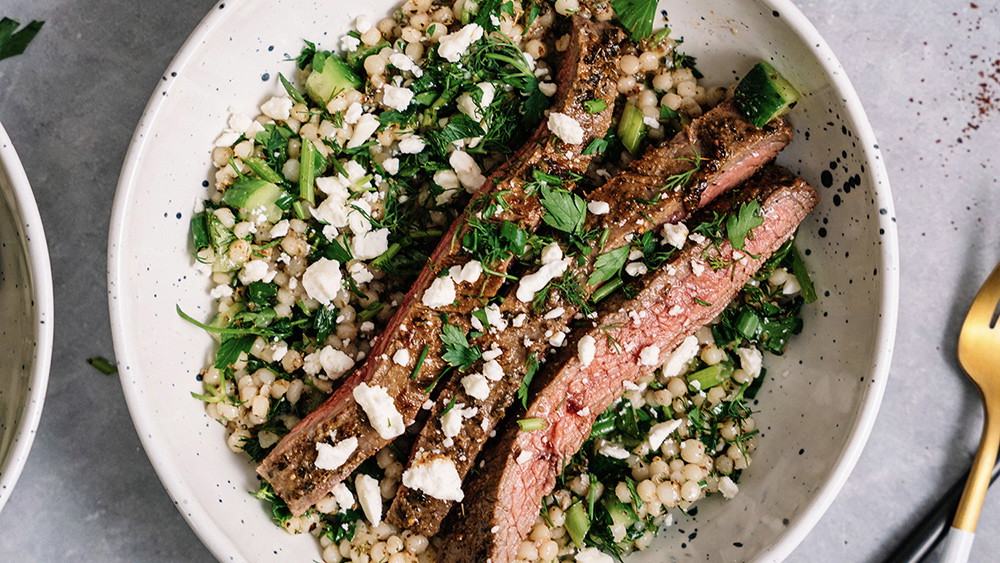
(25, 317)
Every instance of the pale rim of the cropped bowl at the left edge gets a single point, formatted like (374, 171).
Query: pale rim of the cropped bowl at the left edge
(26, 212)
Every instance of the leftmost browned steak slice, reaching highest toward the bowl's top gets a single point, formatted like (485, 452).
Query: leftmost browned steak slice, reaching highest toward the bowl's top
(378, 400)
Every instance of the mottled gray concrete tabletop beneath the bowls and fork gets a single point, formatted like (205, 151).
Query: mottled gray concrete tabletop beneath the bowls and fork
(926, 72)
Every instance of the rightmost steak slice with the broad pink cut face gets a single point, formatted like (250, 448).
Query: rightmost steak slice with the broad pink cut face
(671, 303)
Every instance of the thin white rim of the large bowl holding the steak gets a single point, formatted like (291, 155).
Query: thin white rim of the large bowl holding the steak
(222, 546)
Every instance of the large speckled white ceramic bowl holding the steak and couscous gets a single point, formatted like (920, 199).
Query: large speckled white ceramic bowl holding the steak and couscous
(815, 414)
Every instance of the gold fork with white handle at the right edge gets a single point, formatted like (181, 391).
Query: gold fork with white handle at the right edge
(979, 354)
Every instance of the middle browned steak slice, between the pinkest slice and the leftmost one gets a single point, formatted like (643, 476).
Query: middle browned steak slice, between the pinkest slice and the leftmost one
(713, 154)
